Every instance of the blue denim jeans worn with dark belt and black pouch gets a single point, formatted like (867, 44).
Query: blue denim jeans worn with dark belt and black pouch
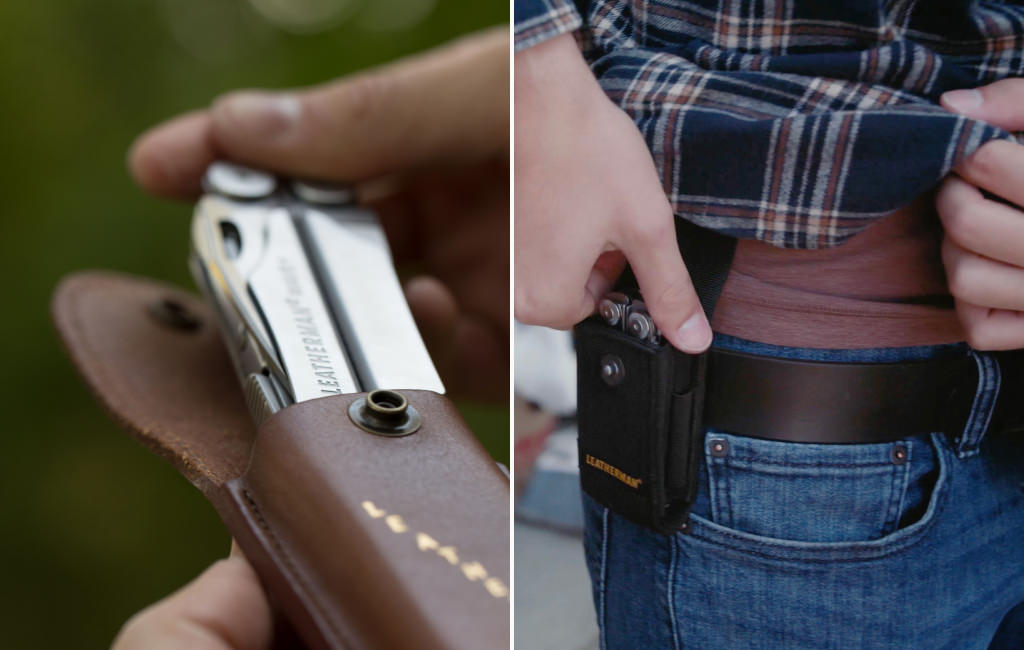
(915, 544)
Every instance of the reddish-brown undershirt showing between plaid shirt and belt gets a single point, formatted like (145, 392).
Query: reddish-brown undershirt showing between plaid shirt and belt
(884, 288)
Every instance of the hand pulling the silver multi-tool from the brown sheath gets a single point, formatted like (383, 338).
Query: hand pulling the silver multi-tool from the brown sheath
(426, 140)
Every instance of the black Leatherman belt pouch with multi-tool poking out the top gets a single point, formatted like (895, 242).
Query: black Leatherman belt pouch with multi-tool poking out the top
(641, 412)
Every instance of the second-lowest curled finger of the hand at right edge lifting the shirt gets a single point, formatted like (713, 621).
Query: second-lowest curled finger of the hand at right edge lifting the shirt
(980, 281)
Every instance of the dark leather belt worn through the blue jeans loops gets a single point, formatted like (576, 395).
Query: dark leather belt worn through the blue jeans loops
(810, 402)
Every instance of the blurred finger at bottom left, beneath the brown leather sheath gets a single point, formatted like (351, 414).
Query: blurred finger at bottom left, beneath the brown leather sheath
(223, 610)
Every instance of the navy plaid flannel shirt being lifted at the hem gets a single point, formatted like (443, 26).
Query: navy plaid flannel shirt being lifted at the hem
(796, 122)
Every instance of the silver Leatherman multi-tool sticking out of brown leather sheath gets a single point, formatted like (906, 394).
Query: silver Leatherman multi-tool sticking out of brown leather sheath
(306, 289)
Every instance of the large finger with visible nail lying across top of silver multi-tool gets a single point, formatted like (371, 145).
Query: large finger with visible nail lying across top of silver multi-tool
(450, 105)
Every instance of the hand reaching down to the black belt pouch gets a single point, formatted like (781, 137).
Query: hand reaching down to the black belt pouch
(588, 200)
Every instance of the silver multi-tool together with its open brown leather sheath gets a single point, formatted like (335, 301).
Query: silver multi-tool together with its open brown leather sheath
(370, 502)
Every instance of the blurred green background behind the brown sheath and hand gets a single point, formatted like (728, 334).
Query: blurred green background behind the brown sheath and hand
(94, 527)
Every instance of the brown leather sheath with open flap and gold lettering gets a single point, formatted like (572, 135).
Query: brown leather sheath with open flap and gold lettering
(362, 541)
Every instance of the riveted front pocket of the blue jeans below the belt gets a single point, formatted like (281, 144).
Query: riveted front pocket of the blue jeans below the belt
(817, 494)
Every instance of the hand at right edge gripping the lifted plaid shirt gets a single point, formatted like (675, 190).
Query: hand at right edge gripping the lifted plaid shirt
(984, 245)
